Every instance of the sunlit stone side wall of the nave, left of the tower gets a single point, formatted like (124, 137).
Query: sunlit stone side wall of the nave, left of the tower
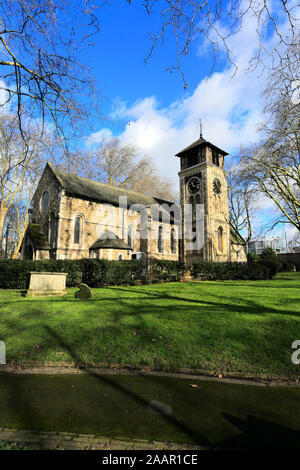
(97, 218)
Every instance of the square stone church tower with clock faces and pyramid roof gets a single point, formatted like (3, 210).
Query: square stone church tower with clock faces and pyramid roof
(203, 195)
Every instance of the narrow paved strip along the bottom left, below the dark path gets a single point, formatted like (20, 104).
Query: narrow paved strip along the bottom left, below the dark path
(72, 441)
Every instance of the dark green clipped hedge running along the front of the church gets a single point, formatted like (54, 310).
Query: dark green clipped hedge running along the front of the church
(14, 274)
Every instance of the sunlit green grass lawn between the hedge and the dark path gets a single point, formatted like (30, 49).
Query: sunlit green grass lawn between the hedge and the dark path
(220, 327)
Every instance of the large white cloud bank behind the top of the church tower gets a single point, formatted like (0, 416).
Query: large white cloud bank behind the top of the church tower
(230, 109)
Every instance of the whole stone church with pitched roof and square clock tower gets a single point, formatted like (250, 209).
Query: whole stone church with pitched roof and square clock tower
(73, 218)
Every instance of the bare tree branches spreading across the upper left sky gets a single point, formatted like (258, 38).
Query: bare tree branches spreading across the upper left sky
(39, 73)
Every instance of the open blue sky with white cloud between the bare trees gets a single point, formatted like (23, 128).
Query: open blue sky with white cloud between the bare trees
(149, 107)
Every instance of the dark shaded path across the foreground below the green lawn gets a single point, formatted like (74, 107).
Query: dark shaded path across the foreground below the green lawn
(124, 409)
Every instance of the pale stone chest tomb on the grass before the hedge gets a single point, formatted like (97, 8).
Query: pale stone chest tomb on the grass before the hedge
(47, 284)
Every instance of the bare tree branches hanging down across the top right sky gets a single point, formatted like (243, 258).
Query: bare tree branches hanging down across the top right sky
(216, 21)
